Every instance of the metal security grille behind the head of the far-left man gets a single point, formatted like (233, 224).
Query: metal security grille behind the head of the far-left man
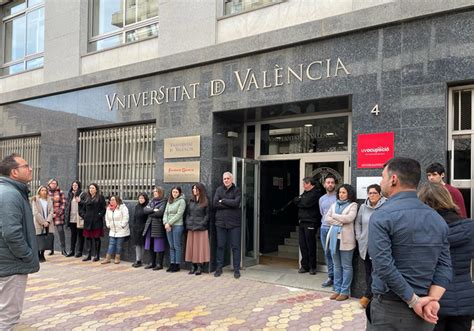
(29, 149)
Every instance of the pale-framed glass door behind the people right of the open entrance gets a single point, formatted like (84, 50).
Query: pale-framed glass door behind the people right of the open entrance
(319, 168)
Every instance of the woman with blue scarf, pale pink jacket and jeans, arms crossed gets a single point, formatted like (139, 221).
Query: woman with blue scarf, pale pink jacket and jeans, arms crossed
(341, 240)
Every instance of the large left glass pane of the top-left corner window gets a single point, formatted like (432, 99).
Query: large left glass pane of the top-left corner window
(15, 34)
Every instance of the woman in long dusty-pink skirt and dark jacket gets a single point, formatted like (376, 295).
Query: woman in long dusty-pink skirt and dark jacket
(197, 224)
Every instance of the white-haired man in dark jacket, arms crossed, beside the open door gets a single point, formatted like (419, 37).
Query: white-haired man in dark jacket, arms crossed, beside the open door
(228, 222)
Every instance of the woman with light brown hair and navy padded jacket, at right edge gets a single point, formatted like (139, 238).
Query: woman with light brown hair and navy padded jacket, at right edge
(457, 303)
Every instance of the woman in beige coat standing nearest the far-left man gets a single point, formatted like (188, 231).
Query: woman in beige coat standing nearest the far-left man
(42, 207)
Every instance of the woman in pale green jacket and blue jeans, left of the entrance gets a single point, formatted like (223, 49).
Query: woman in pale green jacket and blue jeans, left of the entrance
(173, 221)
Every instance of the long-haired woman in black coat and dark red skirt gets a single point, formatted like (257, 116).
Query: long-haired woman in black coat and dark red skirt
(92, 210)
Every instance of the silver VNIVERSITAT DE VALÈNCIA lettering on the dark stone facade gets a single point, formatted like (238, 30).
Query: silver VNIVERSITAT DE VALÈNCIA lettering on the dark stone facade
(246, 80)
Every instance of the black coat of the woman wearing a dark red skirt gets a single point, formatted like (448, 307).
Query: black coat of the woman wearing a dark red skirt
(92, 211)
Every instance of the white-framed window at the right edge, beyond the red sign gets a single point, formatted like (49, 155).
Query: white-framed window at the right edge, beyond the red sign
(461, 128)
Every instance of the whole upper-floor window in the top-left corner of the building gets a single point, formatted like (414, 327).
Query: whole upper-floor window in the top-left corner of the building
(23, 26)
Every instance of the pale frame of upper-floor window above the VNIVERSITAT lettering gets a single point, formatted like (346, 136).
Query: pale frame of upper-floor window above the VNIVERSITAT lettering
(120, 31)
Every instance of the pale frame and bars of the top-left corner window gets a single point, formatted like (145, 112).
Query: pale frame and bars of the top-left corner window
(26, 58)
